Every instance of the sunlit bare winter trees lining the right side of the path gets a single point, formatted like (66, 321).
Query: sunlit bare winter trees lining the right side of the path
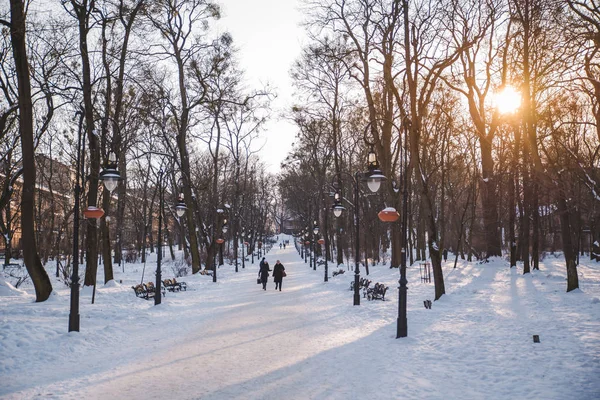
(420, 82)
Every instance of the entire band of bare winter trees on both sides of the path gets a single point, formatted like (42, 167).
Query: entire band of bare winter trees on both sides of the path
(414, 80)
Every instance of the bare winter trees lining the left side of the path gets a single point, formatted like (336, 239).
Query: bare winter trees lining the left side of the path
(152, 82)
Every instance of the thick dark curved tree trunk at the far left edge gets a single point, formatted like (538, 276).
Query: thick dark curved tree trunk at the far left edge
(39, 277)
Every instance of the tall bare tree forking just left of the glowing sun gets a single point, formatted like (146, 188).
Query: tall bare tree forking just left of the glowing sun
(476, 26)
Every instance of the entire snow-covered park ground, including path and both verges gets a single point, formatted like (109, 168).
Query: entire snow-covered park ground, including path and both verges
(232, 340)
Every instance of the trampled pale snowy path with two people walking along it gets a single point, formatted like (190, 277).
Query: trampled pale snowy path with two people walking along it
(226, 353)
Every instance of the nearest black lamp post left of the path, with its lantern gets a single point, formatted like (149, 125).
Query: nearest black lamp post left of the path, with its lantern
(110, 177)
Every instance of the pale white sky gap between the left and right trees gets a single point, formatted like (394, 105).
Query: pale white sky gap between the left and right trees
(269, 37)
